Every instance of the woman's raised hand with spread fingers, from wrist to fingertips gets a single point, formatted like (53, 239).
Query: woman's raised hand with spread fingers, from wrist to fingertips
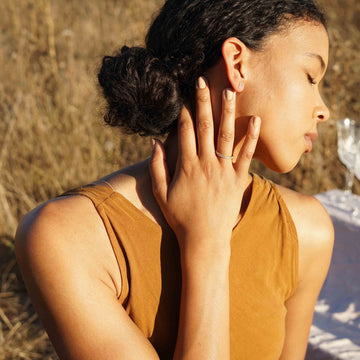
(203, 199)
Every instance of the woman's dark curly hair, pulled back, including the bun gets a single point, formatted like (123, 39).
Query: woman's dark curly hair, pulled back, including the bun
(145, 88)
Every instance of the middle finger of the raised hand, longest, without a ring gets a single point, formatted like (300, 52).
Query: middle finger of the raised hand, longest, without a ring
(204, 119)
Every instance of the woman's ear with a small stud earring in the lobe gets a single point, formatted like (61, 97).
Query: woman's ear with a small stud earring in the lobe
(235, 54)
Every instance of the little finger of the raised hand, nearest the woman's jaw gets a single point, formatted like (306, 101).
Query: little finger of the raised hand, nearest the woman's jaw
(247, 150)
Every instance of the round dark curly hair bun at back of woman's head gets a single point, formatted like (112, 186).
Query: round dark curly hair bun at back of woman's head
(142, 95)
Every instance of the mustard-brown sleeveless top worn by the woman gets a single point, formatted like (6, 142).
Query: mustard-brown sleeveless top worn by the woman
(263, 270)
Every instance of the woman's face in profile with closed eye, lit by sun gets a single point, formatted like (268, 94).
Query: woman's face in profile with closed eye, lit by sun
(282, 87)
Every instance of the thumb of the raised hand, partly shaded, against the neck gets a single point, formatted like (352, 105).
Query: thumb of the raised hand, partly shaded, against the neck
(159, 173)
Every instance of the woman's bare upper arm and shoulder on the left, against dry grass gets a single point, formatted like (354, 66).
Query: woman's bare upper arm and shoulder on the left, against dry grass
(62, 261)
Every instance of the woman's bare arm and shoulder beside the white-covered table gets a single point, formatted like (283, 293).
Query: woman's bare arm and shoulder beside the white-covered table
(316, 237)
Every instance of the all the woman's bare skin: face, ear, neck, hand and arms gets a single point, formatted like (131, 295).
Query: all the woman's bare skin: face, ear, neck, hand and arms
(65, 238)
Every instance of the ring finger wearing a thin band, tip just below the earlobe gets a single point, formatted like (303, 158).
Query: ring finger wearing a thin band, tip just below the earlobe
(225, 142)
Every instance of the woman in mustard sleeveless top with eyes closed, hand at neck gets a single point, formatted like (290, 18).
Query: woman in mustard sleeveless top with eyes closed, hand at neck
(186, 255)
